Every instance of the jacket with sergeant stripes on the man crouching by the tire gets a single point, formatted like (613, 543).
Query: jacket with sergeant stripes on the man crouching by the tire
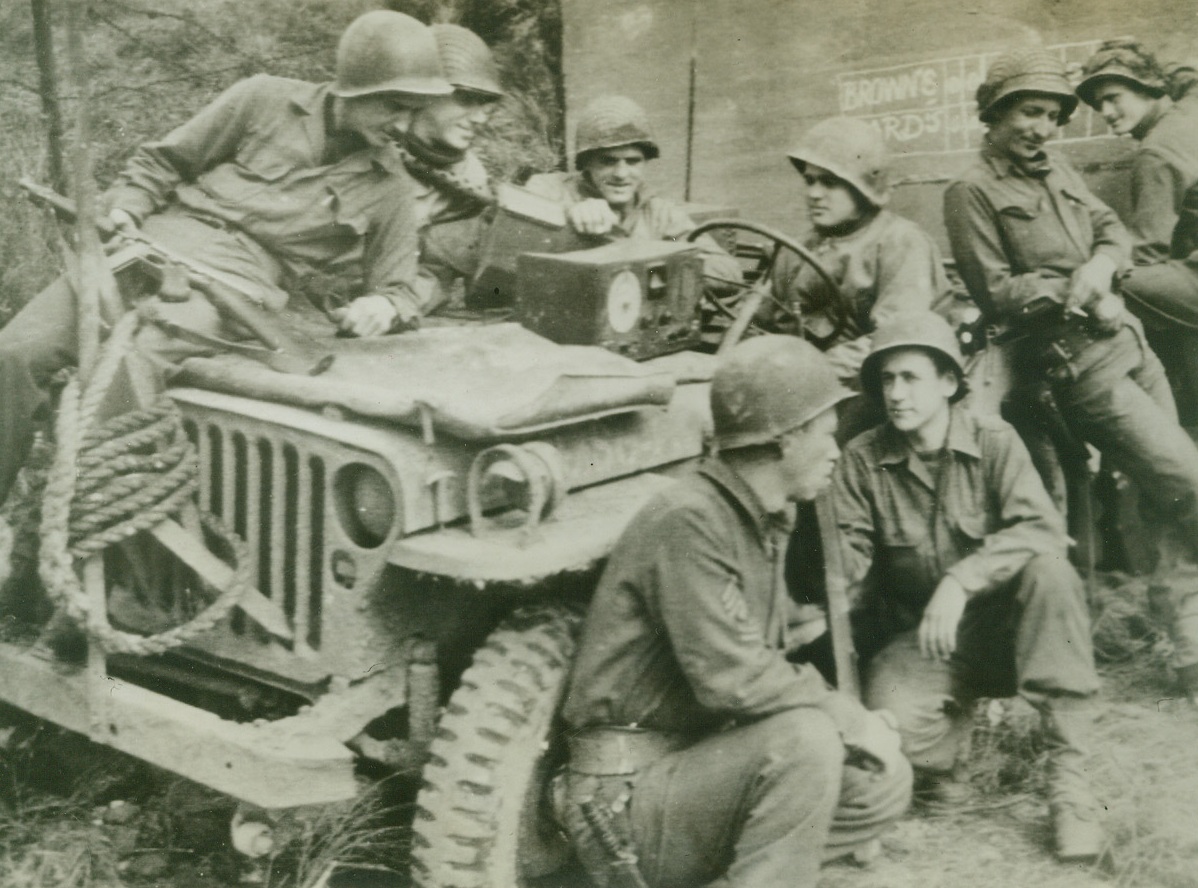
(686, 631)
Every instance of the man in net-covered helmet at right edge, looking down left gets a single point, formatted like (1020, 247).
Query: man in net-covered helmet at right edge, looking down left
(1140, 98)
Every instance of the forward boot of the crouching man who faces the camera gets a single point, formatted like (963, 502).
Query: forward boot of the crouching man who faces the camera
(1076, 813)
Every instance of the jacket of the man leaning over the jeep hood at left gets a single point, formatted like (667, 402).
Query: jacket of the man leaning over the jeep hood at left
(255, 160)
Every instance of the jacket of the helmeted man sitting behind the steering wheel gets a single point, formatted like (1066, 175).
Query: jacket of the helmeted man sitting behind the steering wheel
(886, 267)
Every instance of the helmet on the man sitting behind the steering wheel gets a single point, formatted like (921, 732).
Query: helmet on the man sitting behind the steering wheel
(852, 150)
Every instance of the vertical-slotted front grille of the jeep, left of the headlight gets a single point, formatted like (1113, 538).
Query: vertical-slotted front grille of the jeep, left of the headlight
(274, 498)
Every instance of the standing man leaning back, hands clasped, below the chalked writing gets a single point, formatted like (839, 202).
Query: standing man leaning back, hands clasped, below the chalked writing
(1040, 253)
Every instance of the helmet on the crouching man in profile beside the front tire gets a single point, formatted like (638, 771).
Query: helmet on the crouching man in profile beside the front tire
(769, 386)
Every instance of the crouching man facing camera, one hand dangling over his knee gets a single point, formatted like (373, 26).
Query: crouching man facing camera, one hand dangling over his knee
(958, 561)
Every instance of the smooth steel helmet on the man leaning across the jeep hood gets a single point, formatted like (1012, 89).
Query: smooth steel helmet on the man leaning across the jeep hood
(389, 52)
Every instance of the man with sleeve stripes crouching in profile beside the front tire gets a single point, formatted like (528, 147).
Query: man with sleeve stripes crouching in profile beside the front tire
(691, 733)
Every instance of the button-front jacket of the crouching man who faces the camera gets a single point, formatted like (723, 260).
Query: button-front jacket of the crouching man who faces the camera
(978, 514)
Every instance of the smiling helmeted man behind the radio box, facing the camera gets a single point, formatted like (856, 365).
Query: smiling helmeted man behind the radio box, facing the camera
(607, 195)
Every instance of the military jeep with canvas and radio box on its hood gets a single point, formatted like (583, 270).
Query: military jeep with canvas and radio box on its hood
(425, 523)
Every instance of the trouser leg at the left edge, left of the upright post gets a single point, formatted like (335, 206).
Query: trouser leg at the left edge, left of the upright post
(34, 346)
